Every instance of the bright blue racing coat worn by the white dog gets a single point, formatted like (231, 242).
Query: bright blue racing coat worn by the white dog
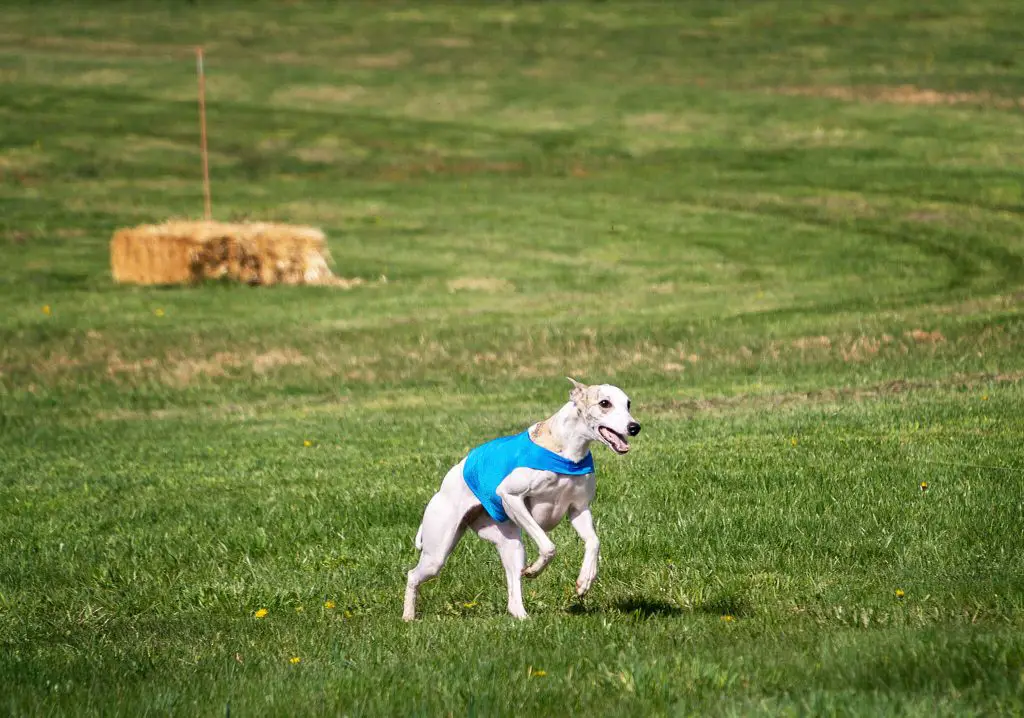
(490, 463)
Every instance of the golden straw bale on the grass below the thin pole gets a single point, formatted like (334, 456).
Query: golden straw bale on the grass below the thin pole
(259, 254)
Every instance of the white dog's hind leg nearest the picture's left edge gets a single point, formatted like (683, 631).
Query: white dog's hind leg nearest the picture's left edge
(444, 524)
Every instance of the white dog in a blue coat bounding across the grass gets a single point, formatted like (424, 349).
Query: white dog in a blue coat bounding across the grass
(528, 483)
